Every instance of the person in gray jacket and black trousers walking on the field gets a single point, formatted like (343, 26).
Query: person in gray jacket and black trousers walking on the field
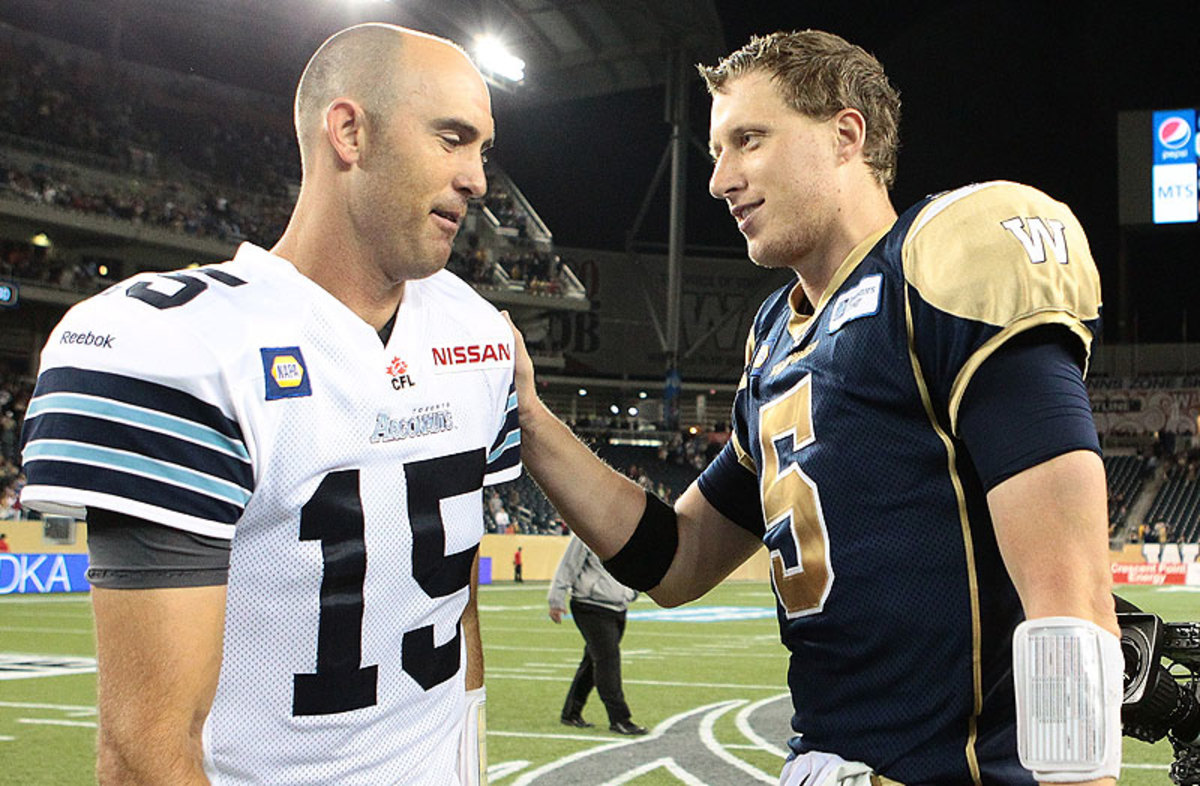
(598, 608)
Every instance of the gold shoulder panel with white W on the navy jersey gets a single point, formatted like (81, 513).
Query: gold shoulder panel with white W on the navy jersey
(1005, 255)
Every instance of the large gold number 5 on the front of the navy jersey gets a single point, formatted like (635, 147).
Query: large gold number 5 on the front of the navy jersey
(803, 578)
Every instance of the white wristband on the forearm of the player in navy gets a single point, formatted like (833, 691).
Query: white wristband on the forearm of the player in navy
(1070, 679)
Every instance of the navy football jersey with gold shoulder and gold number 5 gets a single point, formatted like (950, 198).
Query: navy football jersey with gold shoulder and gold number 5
(892, 596)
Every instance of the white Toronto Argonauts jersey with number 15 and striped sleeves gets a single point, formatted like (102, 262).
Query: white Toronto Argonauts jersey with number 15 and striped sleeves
(244, 401)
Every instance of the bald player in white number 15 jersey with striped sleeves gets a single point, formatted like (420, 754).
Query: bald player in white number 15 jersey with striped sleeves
(281, 458)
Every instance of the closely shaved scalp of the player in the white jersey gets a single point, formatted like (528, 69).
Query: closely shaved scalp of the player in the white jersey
(363, 63)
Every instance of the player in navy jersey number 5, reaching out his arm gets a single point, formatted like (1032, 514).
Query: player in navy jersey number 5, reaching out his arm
(913, 445)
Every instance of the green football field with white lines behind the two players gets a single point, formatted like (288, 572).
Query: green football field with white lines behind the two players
(709, 680)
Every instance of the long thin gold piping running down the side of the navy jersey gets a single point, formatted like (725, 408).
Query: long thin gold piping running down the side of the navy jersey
(968, 547)
